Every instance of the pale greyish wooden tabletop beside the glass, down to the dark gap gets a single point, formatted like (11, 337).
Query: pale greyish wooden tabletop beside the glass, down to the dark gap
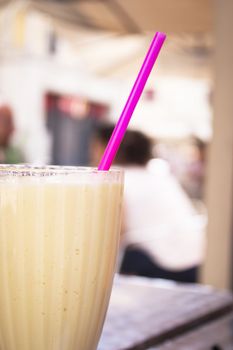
(145, 313)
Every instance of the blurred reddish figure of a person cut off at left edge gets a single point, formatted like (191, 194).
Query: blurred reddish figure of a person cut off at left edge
(8, 153)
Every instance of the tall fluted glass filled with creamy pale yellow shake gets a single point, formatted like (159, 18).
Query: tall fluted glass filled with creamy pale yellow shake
(59, 233)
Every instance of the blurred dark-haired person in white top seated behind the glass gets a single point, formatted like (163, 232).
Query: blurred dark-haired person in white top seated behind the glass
(162, 235)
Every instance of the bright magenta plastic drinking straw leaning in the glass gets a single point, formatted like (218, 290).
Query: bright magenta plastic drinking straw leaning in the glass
(121, 126)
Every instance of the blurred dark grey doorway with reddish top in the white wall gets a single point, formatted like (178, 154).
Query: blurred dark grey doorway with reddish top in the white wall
(71, 122)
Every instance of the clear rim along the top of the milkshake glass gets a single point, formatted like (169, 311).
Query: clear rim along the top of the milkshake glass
(21, 170)
